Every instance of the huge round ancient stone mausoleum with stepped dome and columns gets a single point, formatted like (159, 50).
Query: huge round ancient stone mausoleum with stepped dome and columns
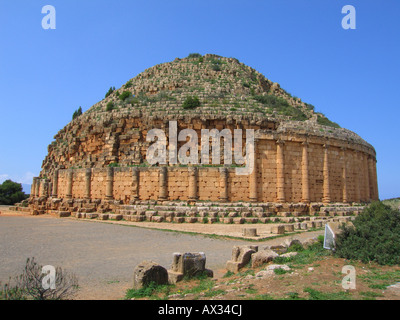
(97, 163)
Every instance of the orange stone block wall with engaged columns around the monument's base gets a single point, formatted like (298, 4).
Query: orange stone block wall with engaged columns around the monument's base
(293, 169)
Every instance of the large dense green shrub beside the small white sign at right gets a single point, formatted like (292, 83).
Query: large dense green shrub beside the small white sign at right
(374, 237)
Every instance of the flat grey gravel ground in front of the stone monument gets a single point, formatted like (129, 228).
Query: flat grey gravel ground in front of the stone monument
(102, 255)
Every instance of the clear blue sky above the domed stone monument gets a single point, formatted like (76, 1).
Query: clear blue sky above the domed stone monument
(352, 76)
